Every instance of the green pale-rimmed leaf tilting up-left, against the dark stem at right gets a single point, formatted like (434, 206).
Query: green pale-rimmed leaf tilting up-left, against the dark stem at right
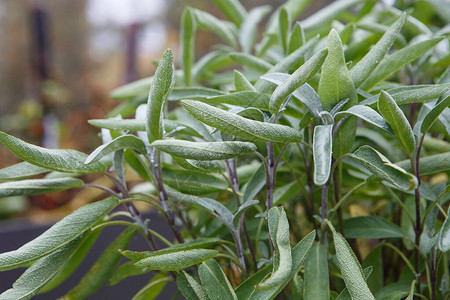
(398, 122)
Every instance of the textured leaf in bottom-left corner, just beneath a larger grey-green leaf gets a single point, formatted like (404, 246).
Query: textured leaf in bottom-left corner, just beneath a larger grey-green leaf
(41, 272)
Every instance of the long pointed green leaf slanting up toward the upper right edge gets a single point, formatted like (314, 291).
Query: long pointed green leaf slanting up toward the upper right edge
(392, 63)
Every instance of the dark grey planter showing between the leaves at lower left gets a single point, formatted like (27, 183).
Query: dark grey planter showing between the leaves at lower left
(15, 233)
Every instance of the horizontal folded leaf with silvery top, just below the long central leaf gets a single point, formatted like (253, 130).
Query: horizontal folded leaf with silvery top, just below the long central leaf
(204, 150)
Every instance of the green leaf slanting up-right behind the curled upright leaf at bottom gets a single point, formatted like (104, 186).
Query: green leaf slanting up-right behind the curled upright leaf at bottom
(299, 253)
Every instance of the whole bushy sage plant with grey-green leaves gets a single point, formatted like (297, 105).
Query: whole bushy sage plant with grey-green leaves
(353, 99)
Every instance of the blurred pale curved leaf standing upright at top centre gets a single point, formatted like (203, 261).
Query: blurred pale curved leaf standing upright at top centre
(248, 30)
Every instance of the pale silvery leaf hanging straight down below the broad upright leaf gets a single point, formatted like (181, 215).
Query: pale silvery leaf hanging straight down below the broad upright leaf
(322, 143)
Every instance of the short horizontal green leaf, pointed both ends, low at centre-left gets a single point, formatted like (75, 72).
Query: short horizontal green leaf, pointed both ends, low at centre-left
(176, 261)
